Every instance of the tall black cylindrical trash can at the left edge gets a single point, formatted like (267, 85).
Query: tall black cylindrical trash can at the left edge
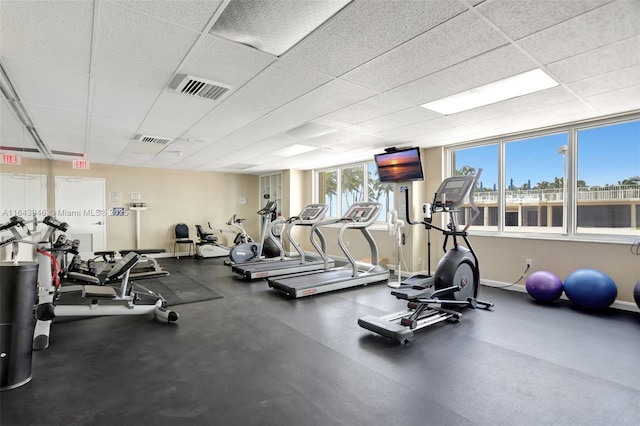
(18, 286)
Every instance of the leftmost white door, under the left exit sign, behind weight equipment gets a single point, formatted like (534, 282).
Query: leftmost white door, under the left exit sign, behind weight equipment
(23, 195)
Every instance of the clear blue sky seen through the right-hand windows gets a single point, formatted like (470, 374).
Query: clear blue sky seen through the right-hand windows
(606, 155)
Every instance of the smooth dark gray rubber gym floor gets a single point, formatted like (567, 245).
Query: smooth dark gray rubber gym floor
(258, 358)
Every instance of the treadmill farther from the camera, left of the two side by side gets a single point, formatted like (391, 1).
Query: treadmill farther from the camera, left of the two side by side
(304, 262)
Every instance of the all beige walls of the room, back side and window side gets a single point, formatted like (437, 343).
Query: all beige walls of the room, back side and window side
(197, 197)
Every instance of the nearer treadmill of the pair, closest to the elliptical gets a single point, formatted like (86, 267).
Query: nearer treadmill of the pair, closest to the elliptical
(359, 216)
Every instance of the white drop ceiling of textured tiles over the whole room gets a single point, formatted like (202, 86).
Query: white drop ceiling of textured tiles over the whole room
(94, 77)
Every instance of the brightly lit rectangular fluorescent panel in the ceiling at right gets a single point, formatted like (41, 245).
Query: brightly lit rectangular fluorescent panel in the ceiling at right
(498, 91)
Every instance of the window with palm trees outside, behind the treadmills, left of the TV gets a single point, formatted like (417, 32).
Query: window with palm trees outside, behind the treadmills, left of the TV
(340, 187)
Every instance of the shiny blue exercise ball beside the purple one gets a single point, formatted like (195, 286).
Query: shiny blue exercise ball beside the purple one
(590, 289)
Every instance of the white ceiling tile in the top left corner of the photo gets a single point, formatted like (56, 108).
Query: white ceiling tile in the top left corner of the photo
(57, 33)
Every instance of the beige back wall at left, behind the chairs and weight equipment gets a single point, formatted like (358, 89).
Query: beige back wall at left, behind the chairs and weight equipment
(172, 196)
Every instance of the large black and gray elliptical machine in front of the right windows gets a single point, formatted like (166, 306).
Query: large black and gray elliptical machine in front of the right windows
(433, 299)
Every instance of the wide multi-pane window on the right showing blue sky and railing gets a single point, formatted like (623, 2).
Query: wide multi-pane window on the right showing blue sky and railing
(575, 180)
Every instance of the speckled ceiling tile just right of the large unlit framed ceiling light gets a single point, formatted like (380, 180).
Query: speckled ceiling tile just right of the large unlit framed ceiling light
(353, 37)
